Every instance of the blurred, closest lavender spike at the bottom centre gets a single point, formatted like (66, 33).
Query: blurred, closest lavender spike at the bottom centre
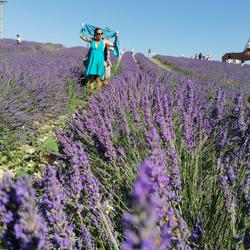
(140, 227)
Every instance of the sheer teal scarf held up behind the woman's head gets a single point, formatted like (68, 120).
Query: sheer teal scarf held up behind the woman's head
(88, 31)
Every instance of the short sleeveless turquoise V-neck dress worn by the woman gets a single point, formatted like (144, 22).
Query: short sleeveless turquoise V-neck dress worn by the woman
(96, 59)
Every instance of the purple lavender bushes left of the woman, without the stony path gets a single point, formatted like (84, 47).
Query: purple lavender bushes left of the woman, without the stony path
(34, 83)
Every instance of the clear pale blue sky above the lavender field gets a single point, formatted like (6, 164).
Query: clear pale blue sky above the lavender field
(167, 27)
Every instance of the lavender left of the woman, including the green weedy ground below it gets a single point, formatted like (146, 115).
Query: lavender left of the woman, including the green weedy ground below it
(39, 85)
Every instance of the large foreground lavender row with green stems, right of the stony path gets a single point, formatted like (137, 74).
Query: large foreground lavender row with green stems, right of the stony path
(179, 150)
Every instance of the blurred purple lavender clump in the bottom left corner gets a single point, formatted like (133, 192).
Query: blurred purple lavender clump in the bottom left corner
(24, 228)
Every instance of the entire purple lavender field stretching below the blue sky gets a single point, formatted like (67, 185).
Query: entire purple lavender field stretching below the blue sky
(158, 159)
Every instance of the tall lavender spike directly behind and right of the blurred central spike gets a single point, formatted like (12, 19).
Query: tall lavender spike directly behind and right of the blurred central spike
(170, 222)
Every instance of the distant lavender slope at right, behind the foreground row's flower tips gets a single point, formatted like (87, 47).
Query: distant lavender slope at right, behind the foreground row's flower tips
(229, 79)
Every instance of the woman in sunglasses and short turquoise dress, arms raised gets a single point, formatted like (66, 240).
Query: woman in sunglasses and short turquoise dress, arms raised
(95, 69)
